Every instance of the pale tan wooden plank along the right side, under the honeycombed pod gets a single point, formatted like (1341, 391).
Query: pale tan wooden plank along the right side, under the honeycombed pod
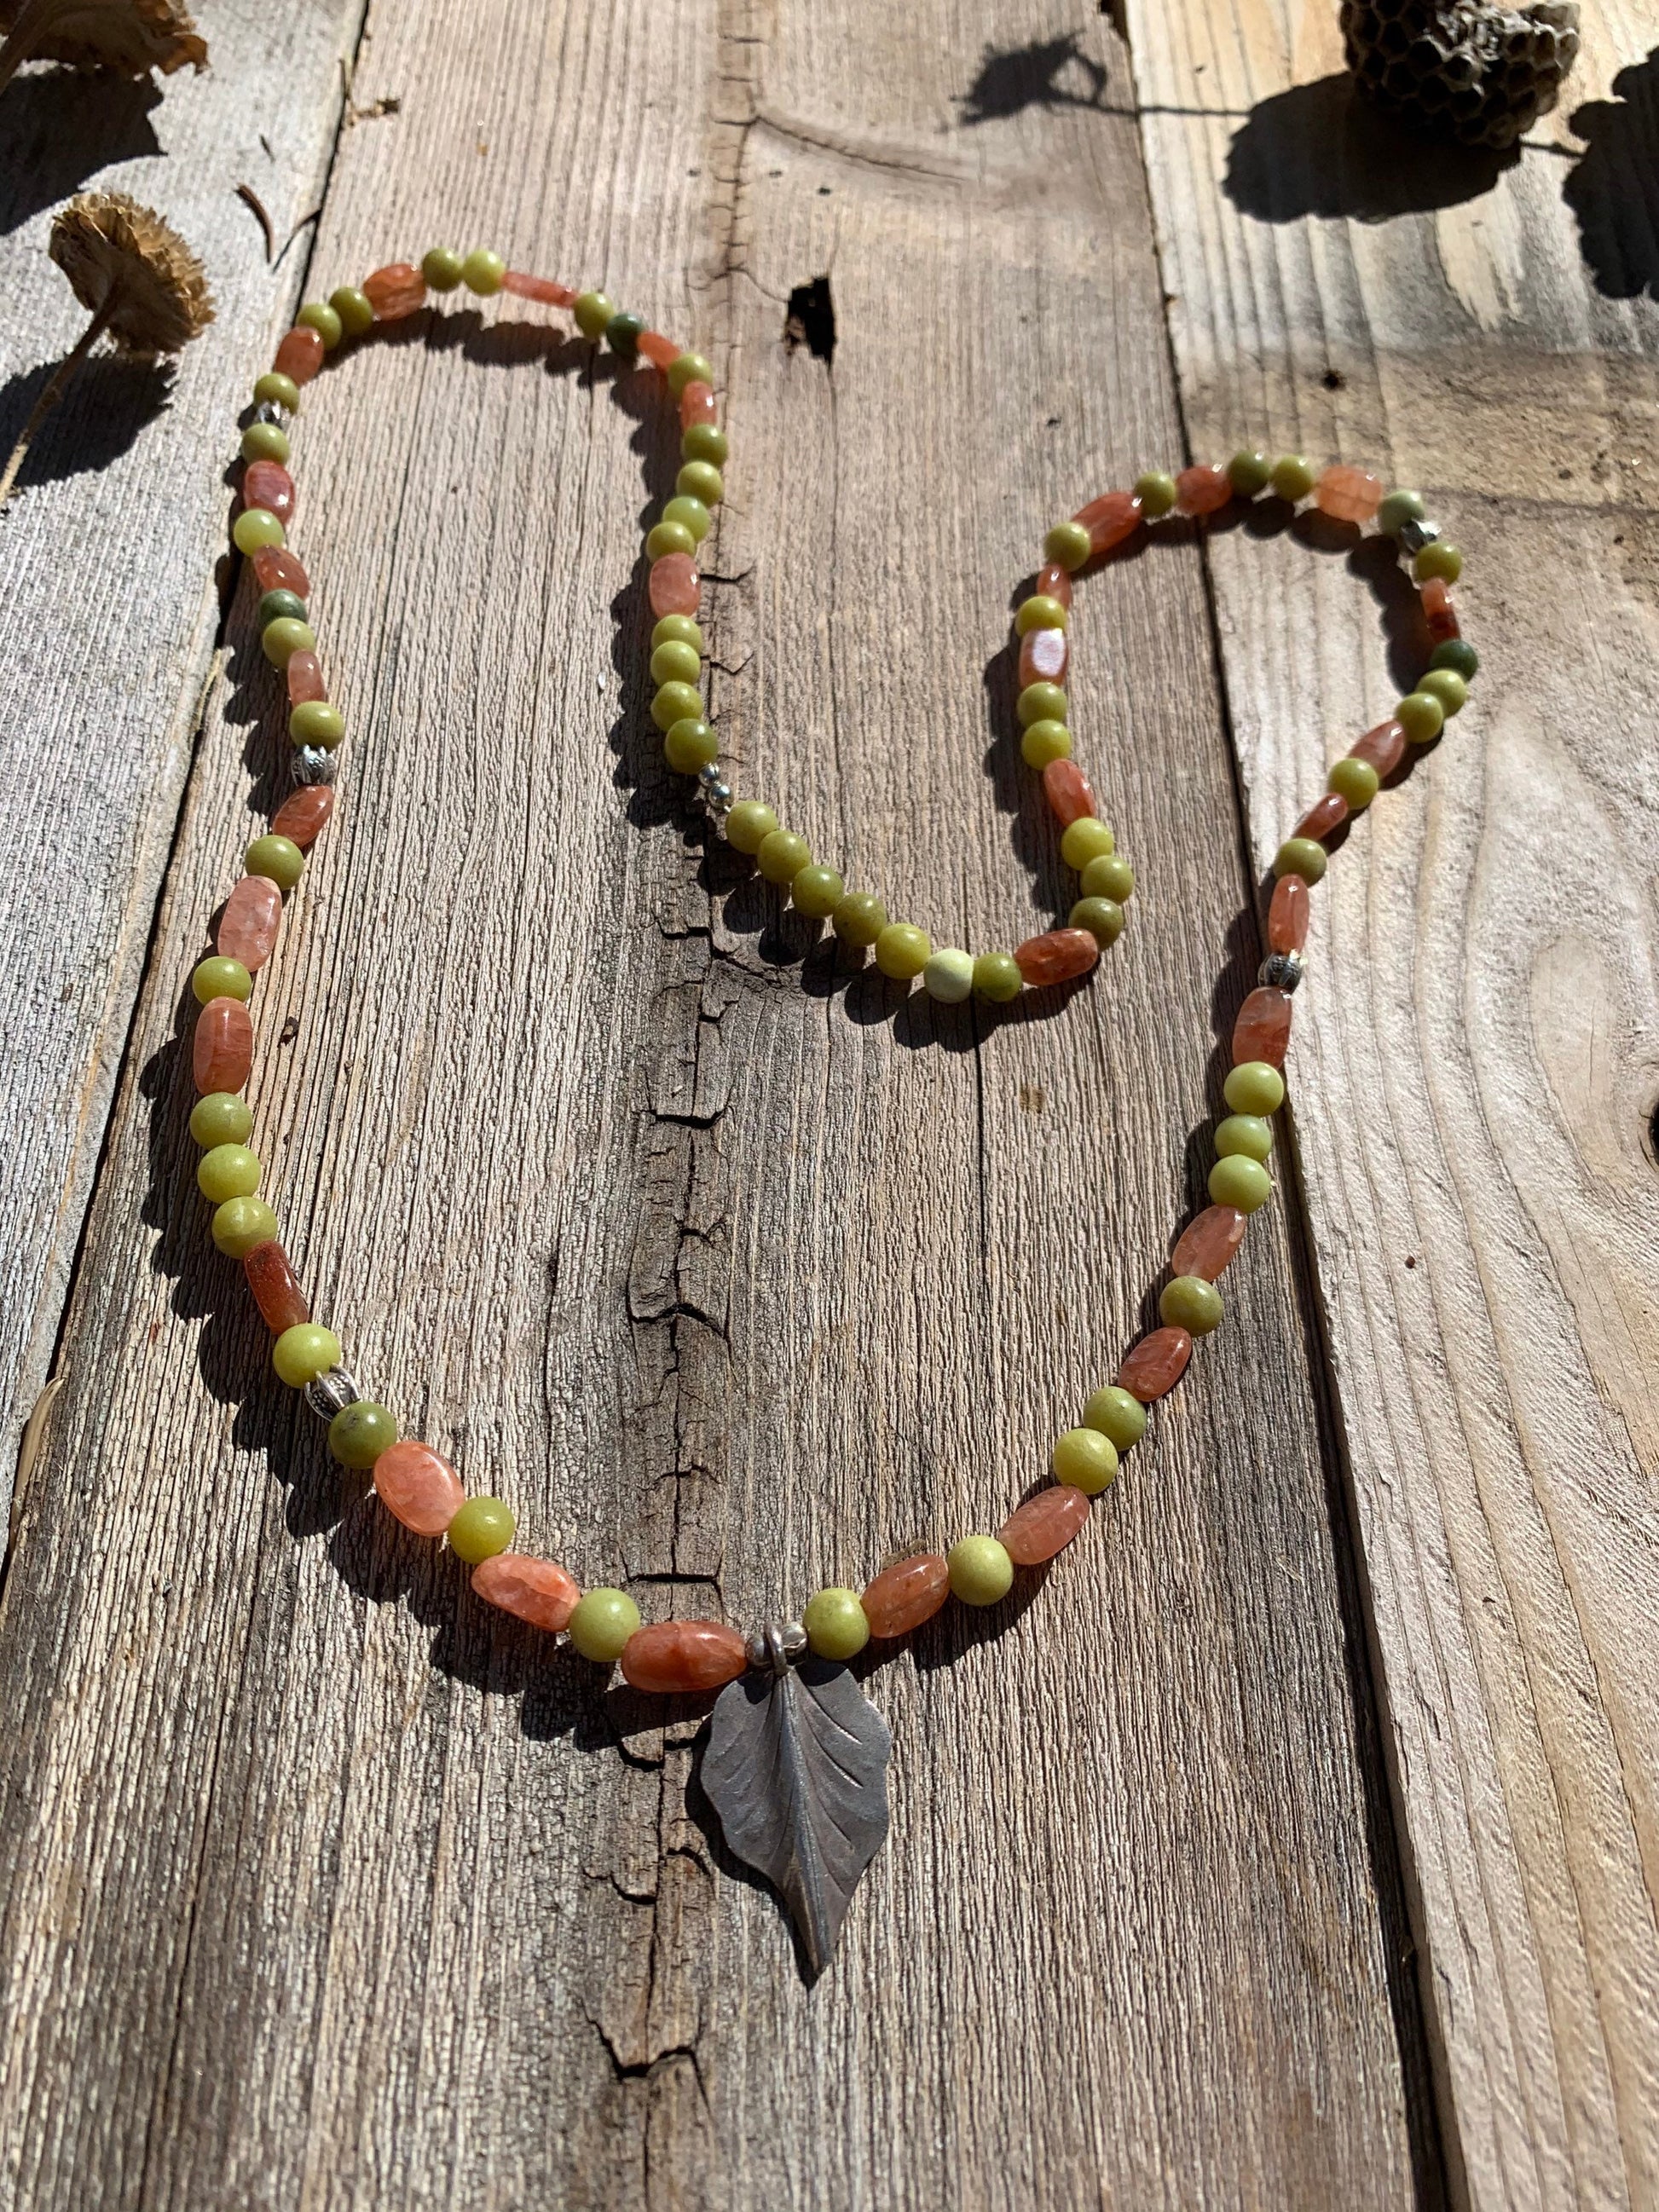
(1477, 1070)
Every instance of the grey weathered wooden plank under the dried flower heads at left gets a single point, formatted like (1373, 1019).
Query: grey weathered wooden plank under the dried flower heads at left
(107, 585)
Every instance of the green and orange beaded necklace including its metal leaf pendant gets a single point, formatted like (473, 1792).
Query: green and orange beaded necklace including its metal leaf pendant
(797, 1755)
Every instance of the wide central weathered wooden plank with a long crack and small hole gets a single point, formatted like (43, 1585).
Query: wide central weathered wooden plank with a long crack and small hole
(324, 1888)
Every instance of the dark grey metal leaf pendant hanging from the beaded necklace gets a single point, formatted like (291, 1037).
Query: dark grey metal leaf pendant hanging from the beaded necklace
(797, 1771)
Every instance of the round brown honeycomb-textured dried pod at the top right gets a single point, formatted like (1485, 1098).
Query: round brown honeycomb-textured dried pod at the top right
(1463, 67)
